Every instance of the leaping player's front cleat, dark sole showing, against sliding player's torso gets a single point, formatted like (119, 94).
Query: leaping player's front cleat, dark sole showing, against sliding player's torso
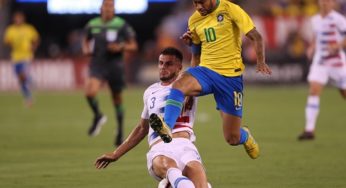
(160, 127)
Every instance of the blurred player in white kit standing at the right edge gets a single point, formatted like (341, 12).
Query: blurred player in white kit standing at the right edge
(329, 61)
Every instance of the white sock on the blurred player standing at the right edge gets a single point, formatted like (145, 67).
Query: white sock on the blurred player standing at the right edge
(311, 112)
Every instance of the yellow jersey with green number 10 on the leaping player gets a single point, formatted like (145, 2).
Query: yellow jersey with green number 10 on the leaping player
(219, 34)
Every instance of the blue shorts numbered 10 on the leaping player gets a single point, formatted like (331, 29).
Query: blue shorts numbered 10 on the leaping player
(228, 91)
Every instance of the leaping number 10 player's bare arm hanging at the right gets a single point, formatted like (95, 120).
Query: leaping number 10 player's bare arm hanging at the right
(257, 41)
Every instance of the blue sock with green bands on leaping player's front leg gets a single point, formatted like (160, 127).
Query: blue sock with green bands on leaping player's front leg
(173, 107)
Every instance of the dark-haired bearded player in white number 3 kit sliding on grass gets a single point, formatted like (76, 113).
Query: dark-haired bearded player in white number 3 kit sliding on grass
(178, 160)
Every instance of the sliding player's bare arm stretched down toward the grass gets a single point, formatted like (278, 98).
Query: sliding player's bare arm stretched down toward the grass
(136, 136)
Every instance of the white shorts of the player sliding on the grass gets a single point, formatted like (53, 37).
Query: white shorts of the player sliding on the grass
(181, 150)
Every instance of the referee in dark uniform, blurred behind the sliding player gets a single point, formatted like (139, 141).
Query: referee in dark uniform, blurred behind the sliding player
(108, 38)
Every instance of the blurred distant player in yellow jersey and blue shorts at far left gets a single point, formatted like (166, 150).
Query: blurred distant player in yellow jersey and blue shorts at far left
(23, 40)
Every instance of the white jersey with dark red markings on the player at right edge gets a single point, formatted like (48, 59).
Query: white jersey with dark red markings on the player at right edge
(330, 29)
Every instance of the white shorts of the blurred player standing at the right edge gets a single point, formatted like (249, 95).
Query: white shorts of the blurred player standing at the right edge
(323, 73)
